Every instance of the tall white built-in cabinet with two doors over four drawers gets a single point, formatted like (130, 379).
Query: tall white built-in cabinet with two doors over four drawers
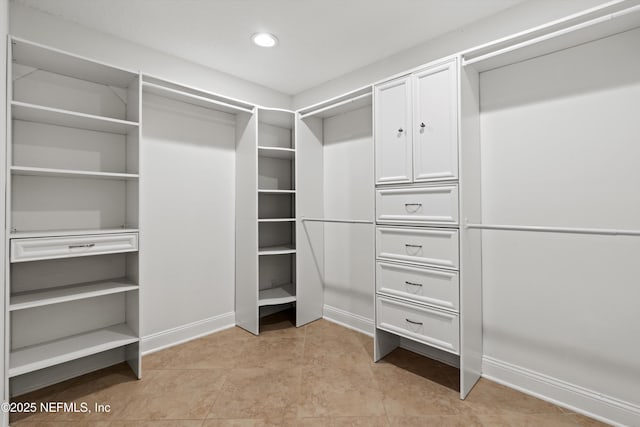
(420, 280)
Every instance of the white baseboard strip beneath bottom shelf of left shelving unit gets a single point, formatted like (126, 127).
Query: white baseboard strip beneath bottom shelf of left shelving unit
(55, 374)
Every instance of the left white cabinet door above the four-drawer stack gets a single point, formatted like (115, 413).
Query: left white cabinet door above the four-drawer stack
(392, 136)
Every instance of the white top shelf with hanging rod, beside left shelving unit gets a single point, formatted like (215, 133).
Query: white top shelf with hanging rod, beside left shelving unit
(191, 95)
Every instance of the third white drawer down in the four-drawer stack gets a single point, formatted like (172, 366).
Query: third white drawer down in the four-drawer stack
(423, 285)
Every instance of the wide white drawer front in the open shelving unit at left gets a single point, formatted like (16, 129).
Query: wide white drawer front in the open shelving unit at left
(74, 246)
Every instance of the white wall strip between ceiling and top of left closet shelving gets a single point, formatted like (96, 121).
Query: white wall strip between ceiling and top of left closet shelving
(40, 27)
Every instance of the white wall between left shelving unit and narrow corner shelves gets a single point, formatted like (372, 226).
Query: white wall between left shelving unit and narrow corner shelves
(187, 217)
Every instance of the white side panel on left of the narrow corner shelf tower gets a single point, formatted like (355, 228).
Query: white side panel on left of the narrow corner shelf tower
(246, 233)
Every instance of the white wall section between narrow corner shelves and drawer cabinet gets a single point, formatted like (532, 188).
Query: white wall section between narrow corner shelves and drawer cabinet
(348, 194)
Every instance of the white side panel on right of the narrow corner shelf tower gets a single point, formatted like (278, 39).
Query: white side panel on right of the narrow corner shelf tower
(309, 235)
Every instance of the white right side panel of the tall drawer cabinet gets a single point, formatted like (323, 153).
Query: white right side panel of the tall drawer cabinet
(470, 240)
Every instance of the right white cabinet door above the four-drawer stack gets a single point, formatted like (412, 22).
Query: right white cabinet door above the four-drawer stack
(435, 124)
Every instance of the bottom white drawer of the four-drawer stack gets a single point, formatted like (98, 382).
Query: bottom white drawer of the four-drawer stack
(429, 326)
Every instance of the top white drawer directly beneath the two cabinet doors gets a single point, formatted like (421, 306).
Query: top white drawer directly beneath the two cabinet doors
(421, 205)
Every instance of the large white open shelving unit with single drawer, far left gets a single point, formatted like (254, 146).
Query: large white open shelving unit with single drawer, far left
(72, 216)
